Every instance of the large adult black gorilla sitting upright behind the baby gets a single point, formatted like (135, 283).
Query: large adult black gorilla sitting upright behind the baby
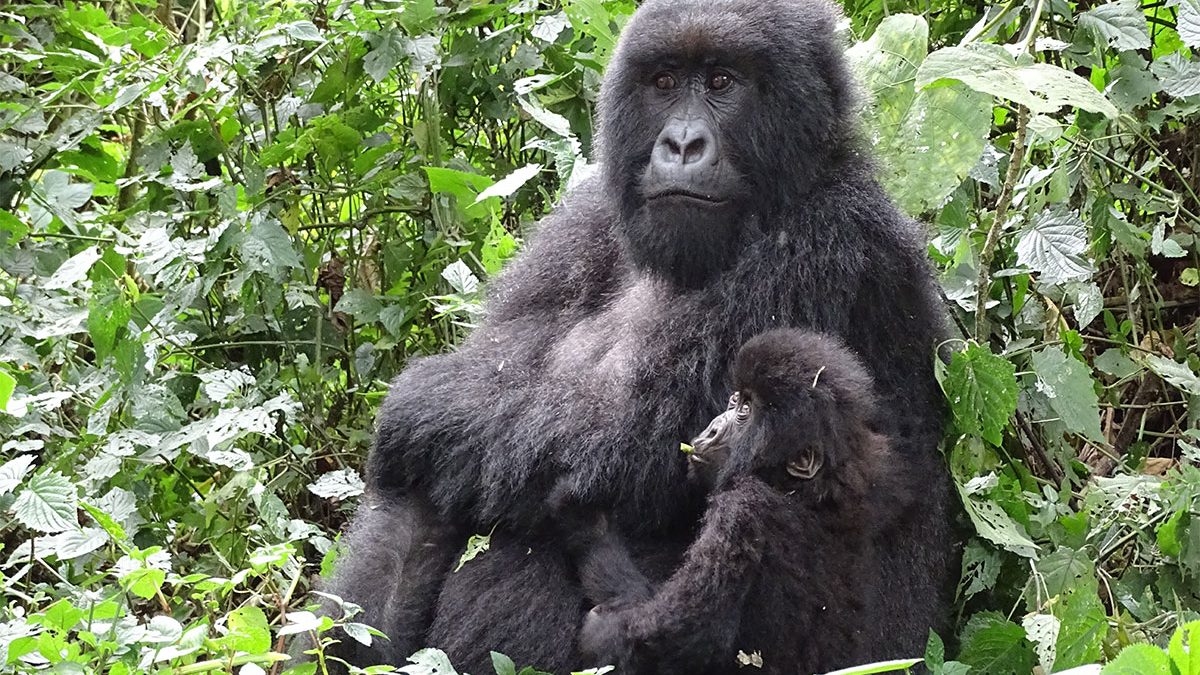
(734, 199)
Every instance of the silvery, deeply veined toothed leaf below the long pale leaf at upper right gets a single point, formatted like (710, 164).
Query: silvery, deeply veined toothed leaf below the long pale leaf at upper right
(1054, 246)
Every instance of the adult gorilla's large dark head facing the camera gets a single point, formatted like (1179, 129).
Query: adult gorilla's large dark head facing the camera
(713, 116)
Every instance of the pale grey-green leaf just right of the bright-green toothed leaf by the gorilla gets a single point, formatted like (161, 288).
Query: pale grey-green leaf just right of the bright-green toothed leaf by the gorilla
(1071, 391)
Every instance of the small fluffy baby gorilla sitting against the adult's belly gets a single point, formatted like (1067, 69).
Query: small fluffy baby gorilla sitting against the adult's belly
(785, 561)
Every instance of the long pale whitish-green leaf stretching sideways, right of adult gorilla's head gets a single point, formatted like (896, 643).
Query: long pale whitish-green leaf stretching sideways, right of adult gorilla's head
(991, 69)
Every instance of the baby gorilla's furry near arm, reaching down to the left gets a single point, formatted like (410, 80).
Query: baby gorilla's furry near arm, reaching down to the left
(694, 619)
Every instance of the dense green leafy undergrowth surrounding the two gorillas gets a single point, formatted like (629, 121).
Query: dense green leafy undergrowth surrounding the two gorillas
(225, 225)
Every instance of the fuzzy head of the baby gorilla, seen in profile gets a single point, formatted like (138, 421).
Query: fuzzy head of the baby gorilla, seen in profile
(800, 416)
